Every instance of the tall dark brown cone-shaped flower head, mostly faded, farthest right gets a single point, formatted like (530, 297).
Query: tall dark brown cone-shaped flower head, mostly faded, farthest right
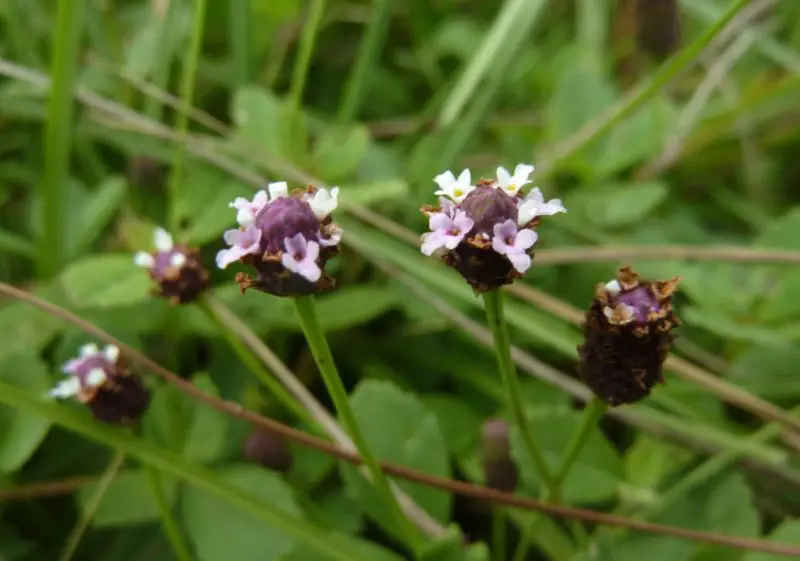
(628, 334)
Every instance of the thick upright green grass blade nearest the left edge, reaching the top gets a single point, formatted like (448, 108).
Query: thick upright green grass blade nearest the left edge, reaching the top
(54, 194)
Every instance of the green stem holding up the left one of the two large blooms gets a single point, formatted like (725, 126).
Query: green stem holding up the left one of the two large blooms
(307, 313)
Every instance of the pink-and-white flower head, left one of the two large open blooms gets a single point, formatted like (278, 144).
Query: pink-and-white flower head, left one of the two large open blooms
(286, 237)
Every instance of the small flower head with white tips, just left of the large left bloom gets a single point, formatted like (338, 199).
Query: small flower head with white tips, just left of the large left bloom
(176, 269)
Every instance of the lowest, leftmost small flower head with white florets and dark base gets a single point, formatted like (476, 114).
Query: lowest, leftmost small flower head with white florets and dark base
(100, 379)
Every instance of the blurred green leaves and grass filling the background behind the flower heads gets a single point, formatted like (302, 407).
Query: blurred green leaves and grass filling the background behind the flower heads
(183, 105)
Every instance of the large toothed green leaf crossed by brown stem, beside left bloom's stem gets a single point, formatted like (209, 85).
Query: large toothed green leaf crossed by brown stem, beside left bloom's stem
(399, 429)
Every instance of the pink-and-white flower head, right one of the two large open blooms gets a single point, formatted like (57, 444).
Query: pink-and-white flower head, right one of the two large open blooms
(486, 231)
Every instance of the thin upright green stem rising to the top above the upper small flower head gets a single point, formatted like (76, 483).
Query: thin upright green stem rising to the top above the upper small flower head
(182, 118)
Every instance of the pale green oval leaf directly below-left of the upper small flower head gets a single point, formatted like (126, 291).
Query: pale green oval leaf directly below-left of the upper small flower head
(104, 281)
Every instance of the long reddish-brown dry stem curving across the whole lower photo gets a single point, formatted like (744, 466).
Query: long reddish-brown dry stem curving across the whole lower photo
(458, 487)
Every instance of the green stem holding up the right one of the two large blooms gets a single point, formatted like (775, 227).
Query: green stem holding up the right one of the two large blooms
(502, 348)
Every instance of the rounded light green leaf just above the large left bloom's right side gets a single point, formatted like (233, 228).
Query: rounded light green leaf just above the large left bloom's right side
(339, 151)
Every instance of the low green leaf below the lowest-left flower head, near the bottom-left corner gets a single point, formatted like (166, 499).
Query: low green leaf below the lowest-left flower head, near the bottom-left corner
(129, 499)
